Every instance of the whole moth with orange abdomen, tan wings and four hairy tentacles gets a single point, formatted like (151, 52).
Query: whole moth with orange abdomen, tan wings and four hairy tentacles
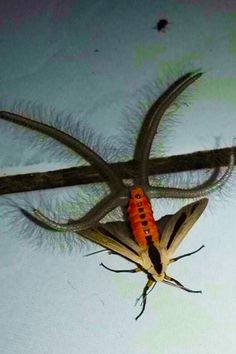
(150, 245)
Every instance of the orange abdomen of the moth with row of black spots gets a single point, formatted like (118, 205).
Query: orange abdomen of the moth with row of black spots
(141, 218)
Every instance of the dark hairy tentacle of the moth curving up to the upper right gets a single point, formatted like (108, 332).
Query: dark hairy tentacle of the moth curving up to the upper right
(151, 123)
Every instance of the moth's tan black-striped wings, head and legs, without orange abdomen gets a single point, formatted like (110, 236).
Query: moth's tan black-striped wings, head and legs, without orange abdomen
(152, 260)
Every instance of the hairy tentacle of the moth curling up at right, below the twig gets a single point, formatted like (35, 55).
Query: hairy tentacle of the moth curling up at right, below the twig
(196, 192)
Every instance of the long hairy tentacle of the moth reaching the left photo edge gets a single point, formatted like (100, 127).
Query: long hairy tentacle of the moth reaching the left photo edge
(104, 169)
